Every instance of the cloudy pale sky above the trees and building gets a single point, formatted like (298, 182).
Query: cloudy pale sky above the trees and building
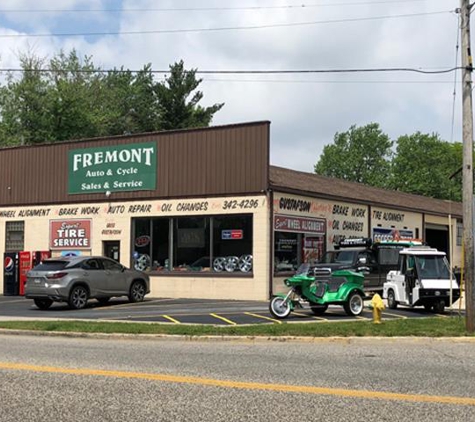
(306, 110)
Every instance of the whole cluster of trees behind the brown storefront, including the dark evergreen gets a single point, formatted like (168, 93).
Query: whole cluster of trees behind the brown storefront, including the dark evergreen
(73, 99)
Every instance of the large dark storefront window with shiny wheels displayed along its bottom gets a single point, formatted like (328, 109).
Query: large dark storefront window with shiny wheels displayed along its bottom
(194, 244)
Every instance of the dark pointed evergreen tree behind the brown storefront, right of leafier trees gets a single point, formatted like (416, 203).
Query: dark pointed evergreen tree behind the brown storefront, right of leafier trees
(177, 109)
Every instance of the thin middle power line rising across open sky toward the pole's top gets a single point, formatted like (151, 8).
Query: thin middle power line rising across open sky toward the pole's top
(230, 28)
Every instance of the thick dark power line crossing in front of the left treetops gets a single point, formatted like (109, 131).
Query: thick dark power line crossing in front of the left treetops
(247, 72)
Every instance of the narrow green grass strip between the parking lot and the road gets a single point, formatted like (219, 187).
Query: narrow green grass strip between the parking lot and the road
(427, 327)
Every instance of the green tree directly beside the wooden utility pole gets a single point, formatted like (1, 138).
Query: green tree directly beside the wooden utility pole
(423, 165)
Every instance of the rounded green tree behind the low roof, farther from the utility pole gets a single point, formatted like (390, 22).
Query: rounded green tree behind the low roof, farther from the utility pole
(362, 154)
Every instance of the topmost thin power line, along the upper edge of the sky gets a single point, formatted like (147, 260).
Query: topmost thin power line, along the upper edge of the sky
(193, 9)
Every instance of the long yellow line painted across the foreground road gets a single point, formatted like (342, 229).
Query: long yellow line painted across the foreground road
(210, 382)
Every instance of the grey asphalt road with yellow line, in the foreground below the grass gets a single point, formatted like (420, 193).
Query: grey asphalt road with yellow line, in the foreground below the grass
(88, 379)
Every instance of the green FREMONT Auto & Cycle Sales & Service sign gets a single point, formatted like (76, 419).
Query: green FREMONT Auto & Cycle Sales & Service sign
(114, 168)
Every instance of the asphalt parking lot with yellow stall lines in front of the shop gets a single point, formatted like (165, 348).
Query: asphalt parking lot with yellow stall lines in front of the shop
(189, 311)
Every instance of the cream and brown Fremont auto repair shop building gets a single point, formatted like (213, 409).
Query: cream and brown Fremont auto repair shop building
(202, 210)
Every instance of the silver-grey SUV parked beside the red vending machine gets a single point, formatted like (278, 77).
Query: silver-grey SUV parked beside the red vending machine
(76, 279)
